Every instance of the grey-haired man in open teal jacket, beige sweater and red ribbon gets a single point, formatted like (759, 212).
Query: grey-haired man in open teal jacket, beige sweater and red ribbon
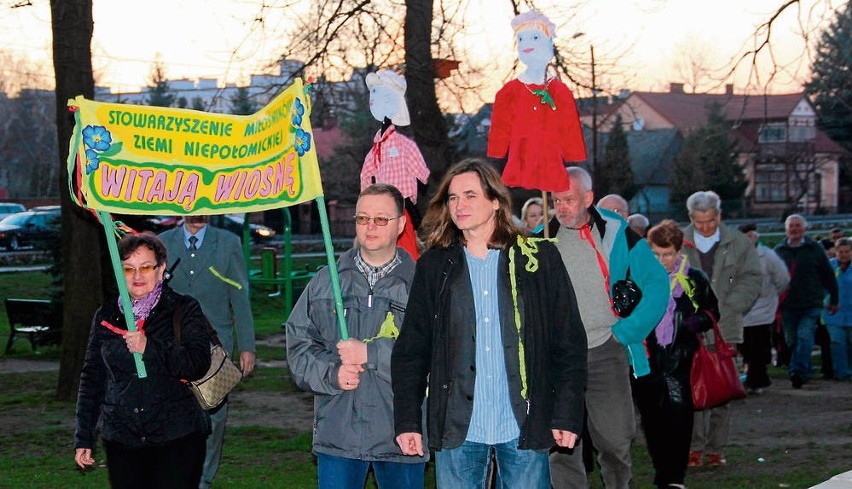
(598, 250)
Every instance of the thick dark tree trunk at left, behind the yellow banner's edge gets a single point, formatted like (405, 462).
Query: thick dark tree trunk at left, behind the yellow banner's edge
(81, 244)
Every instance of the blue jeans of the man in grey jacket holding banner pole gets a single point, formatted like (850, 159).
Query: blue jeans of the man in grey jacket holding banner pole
(349, 473)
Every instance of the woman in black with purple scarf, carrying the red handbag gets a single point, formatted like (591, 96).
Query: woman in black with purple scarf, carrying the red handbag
(664, 396)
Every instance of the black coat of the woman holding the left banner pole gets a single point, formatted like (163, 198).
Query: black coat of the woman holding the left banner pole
(154, 410)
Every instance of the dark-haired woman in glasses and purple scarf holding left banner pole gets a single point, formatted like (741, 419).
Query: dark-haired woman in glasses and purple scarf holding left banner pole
(154, 430)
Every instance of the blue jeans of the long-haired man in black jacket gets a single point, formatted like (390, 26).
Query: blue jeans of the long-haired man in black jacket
(467, 466)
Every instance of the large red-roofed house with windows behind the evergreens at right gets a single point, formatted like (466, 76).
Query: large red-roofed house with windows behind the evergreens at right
(788, 161)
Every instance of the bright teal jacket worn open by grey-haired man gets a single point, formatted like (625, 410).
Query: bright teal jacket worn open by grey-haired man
(626, 249)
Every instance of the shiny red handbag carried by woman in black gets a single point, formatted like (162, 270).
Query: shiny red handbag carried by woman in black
(714, 376)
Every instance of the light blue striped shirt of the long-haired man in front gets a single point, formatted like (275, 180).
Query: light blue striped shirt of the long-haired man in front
(492, 420)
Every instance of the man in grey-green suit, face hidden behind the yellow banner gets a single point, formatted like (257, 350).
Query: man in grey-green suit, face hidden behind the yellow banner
(212, 270)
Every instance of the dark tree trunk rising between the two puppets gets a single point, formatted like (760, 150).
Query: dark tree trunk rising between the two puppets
(430, 128)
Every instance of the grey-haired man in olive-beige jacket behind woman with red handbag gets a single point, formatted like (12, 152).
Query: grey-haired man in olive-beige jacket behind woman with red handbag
(731, 263)
